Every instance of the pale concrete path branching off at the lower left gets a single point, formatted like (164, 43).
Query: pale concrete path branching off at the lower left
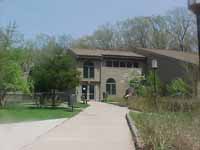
(17, 135)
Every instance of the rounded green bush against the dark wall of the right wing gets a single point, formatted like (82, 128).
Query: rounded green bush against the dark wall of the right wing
(179, 88)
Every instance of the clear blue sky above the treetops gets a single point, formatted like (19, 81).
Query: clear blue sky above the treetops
(76, 17)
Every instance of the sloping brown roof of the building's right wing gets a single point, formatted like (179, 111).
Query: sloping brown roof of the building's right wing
(183, 56)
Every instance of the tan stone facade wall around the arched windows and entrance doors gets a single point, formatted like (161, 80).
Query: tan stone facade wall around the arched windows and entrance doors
(122, 76)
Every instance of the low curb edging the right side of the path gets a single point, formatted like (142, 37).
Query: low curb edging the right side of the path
(139, 144)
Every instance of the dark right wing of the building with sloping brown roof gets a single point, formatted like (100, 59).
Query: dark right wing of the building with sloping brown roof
(173, 64)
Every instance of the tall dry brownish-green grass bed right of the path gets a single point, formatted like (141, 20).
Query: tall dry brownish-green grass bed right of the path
(175, 125)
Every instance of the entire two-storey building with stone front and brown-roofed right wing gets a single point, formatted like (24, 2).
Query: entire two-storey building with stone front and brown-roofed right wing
(109, 71)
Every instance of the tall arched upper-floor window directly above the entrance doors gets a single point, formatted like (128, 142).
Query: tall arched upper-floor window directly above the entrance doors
(88, 70)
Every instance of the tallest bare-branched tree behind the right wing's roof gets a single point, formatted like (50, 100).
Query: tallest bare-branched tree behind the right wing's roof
(179, 22)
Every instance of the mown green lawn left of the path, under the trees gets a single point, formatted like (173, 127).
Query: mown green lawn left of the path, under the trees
(25, 113)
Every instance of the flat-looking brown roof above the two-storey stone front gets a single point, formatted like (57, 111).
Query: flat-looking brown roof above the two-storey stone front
(100, 53)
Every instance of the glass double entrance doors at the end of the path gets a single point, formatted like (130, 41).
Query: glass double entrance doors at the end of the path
(88, 91)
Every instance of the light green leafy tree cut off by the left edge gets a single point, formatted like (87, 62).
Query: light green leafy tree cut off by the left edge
(11, 77)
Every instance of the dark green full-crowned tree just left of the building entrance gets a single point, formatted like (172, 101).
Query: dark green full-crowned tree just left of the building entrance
(54, 70)
